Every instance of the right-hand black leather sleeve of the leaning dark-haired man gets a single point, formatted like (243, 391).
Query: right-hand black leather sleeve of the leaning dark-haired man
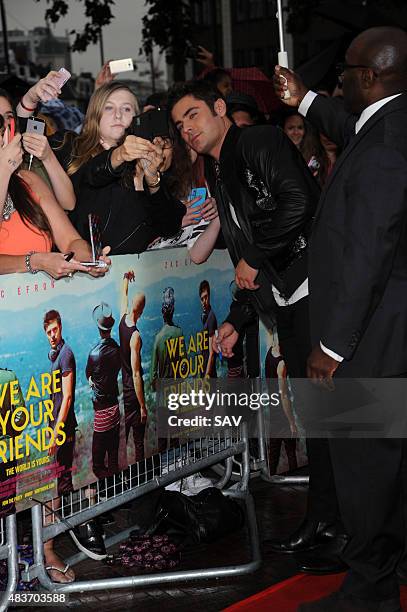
(291, 193)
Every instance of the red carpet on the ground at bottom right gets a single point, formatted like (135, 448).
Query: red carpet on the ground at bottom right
(287, 595)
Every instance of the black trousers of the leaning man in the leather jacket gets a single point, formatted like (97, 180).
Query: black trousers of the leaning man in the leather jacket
(295, 346)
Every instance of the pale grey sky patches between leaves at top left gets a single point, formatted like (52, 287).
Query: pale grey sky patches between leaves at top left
(122, 38)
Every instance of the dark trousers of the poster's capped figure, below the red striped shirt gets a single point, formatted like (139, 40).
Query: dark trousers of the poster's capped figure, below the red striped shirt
(105, 445)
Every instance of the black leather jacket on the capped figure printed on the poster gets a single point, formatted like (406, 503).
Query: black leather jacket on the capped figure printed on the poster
(103, 366)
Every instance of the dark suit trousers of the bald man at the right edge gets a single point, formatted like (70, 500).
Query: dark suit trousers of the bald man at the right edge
(368, 476)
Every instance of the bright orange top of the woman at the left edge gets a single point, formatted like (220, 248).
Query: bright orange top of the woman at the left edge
(17, 238)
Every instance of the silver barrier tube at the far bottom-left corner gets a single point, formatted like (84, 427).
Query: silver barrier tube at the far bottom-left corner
(9, 551)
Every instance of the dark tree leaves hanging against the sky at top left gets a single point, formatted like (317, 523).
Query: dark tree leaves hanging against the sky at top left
(97, 12)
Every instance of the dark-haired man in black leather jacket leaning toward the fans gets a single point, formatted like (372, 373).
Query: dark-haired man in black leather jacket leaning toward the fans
(266, 200)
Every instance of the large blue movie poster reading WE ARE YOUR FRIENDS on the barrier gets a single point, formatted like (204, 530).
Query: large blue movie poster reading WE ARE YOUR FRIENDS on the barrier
(80, 359)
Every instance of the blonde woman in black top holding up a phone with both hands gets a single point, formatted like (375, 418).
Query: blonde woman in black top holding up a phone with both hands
(132, 214)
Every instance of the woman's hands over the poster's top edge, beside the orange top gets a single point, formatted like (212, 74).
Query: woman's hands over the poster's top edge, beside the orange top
(57, 266)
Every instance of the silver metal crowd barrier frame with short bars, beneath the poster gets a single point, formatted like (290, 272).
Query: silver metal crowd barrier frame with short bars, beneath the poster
(146, 476)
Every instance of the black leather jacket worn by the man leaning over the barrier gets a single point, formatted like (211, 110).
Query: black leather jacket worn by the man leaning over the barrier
(274, 197)
